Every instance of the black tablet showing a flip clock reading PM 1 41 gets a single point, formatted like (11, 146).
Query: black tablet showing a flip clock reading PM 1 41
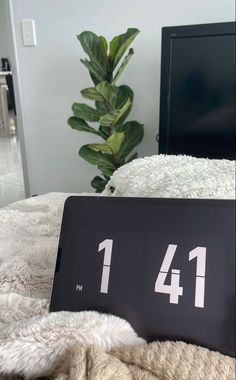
(165, 265)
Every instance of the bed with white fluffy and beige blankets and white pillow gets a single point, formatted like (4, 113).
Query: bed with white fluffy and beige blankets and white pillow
(65, 345)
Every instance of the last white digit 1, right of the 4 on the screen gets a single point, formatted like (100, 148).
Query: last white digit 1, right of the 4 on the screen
(200, 254)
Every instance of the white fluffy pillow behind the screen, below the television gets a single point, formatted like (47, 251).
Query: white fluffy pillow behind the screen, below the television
(174, 177)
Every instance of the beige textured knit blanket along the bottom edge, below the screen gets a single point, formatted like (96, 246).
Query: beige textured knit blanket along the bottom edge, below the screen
(159, 361)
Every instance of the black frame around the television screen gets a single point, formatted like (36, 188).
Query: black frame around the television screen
(168, 34)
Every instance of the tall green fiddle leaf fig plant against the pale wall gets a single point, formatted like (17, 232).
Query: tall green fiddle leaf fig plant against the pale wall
(112, 105)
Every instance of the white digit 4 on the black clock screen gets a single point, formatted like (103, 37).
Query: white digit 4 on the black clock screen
(174, 290)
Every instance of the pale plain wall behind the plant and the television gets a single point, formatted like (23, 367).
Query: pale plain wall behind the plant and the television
(52, 76)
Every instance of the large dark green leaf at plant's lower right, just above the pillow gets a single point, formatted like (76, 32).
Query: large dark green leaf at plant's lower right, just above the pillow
(133, 136)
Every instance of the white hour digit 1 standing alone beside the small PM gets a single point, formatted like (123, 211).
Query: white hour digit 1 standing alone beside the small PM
(107, 245)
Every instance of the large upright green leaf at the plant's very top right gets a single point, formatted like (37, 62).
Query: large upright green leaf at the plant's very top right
(119, 45)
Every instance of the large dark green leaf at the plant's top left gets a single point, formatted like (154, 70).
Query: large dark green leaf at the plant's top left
(94, 47)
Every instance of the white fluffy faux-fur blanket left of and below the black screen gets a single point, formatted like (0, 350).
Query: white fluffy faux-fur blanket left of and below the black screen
(28, 245)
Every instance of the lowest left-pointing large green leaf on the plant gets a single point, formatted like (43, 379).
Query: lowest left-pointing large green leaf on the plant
(96, 158)
